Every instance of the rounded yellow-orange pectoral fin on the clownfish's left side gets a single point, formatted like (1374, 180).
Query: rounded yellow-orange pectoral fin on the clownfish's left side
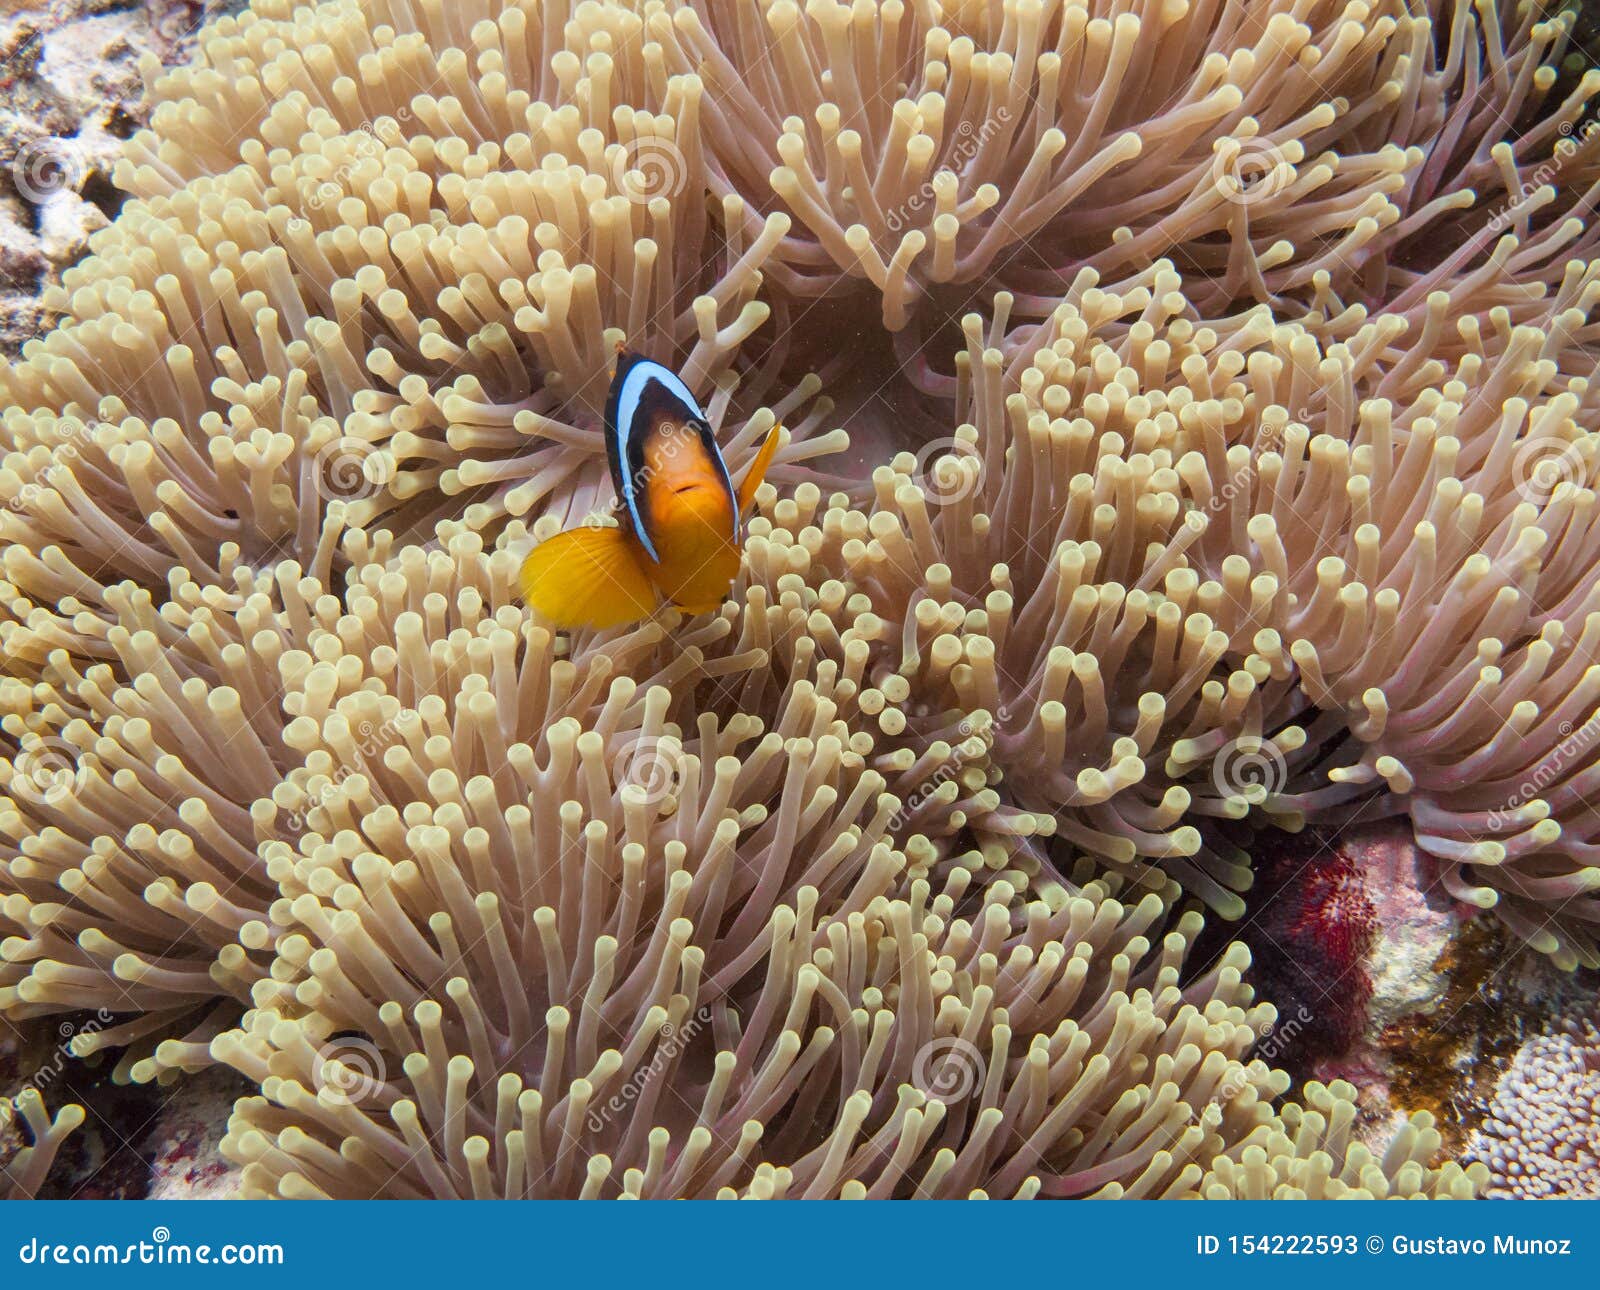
(588, 579)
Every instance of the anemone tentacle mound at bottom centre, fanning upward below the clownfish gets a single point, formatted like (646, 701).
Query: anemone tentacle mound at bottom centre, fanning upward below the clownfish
(642, 959)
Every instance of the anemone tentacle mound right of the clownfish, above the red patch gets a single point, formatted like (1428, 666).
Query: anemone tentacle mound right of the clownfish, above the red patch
(1239, 526)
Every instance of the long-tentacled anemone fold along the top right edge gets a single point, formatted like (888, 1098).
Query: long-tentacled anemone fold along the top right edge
(1297, 154)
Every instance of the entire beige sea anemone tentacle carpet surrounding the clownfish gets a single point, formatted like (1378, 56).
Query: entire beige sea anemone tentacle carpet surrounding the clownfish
(1210, 454)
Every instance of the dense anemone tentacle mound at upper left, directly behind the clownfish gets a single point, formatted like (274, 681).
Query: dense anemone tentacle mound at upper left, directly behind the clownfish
(454, 246)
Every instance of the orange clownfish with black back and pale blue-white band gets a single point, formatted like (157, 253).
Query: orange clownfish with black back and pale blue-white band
(681, 531)
